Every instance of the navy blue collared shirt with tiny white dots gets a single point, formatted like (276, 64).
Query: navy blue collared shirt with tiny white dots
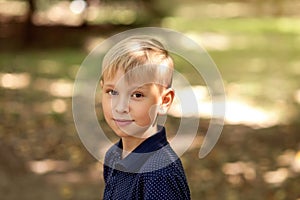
(151, 171)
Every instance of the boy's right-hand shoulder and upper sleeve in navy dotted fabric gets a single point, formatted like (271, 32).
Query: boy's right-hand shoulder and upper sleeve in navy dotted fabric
(164, 174)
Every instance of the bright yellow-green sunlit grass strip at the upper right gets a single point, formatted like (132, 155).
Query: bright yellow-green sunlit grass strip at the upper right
(249, 26)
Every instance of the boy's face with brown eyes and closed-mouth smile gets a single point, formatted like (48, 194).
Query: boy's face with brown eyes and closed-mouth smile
(130, 109)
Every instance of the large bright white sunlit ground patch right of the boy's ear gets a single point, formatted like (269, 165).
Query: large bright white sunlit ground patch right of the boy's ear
(238, 111)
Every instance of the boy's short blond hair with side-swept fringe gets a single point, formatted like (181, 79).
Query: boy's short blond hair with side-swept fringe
(139, 57)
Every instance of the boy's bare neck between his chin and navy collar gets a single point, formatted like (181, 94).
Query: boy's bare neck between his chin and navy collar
(129, 143)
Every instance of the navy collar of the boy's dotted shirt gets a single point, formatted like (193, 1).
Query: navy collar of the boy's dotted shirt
(135, 160)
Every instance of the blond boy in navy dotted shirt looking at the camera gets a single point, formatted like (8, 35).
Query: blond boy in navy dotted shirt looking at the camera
(136, 88)
